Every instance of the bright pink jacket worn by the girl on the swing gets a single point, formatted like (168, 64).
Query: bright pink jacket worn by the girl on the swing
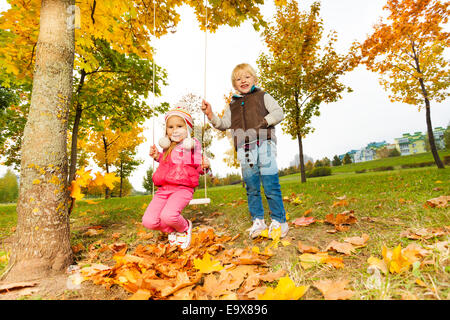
(181, 167)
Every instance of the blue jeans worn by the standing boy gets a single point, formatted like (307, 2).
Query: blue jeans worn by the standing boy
(259, 165)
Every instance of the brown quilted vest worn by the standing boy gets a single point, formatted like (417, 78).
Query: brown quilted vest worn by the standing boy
(247, 116)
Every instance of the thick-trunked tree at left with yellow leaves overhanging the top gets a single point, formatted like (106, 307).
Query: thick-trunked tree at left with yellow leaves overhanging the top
(46, 55)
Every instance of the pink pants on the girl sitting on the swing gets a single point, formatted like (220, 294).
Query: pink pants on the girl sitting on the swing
(164, 211)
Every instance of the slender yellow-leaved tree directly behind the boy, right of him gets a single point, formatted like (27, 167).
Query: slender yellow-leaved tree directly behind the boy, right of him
(299, 72)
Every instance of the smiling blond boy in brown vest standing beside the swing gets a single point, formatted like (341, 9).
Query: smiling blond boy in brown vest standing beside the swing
(252, 116)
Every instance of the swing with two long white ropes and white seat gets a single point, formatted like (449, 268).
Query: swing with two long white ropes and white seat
(193, 201)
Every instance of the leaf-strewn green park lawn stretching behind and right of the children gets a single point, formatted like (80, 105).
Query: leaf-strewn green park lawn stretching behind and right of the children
(384, 203)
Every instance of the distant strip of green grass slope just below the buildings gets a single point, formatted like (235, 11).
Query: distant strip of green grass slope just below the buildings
(395, 162)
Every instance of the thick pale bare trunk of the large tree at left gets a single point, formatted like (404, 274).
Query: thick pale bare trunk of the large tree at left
(41, 244)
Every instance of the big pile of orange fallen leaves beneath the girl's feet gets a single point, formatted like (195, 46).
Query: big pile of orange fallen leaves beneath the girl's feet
(203, 271)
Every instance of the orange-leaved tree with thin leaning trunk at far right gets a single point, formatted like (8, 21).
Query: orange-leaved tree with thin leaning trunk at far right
(407, 50)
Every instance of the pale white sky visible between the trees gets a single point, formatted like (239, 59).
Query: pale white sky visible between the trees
(360, 117)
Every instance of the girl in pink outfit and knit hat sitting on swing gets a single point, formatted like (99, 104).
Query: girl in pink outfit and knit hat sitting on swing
(180, 165)
